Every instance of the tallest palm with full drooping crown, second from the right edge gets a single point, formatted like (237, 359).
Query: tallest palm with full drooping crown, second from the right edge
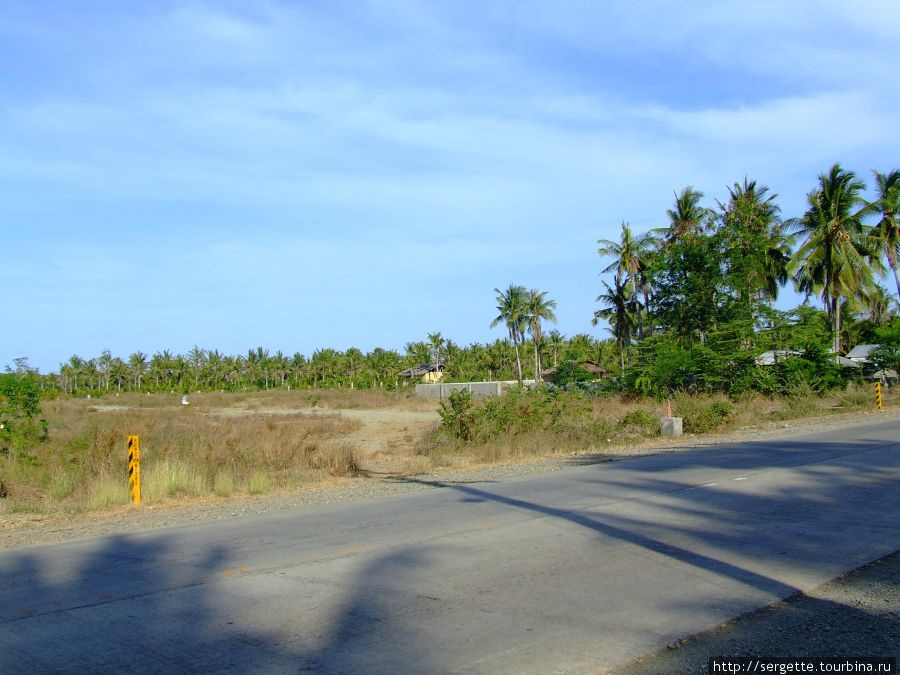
(837, 257)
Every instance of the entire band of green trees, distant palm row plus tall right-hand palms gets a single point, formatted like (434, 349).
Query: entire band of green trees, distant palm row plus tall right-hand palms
(688, 305)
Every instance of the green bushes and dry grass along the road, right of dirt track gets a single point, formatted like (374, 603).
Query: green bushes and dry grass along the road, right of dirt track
(529, 424)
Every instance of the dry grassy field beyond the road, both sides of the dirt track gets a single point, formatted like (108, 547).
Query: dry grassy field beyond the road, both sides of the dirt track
(224, 445)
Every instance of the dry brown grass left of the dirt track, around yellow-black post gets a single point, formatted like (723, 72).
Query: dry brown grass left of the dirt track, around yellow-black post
(185, 451)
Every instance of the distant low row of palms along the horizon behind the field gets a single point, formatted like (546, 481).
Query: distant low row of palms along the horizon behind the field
(210, 370)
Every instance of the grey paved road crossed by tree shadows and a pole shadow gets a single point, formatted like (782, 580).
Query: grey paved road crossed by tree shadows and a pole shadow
(570, 572)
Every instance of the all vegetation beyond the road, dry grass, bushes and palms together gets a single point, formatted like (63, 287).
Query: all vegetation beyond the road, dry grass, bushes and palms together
(689, 305)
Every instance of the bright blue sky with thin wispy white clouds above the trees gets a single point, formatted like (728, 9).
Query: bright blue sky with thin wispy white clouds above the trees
(300, 175)
